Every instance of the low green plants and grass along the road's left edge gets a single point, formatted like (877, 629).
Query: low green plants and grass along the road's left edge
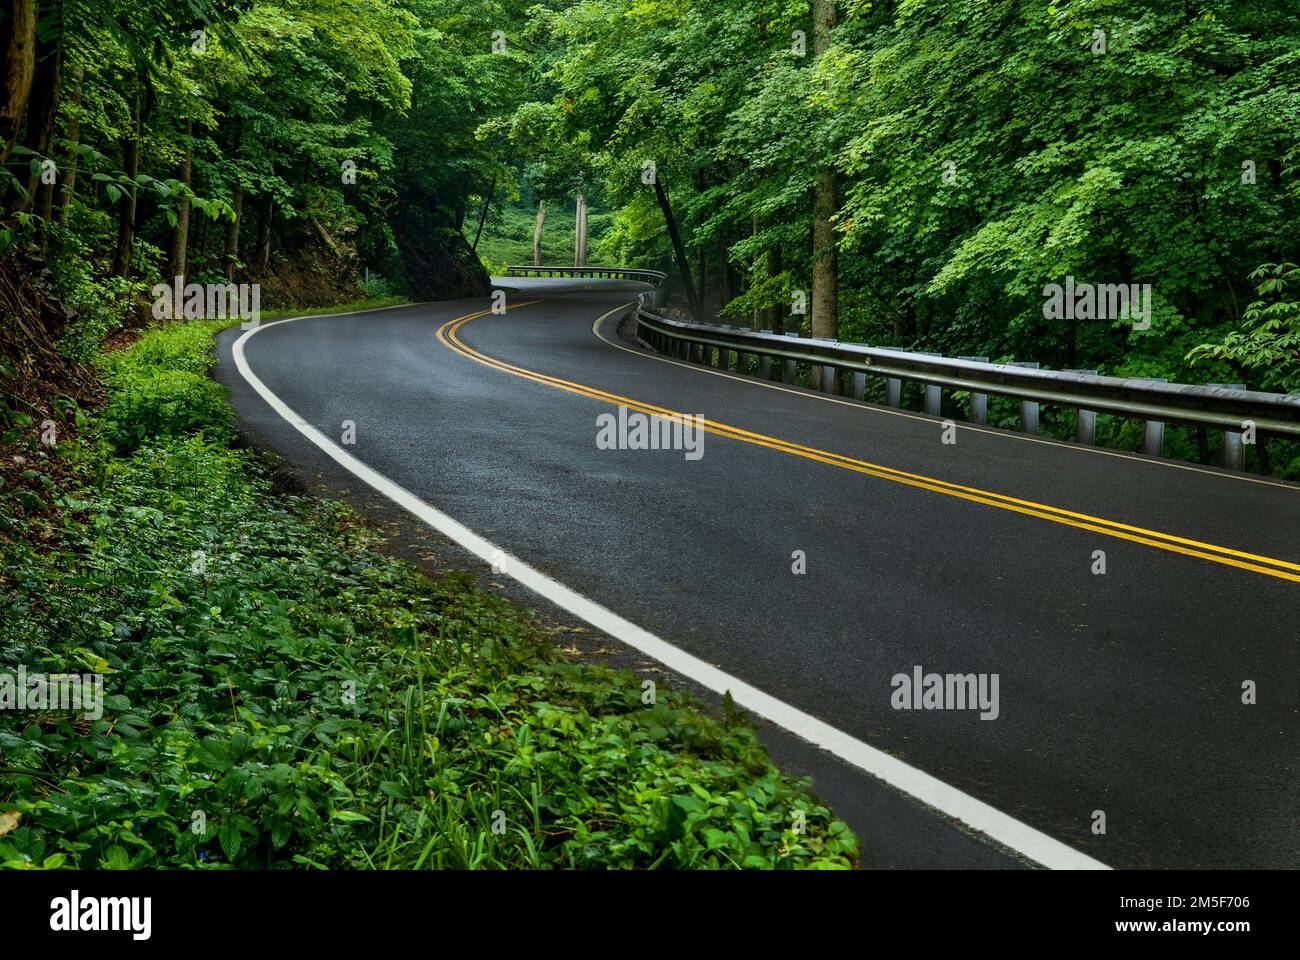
(280, 694)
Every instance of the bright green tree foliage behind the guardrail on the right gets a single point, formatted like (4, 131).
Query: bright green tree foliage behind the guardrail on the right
(983, 150)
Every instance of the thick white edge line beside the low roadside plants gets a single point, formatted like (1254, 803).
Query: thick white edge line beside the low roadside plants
(929, 790)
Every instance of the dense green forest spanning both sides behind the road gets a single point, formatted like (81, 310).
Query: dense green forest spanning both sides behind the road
(913, 172)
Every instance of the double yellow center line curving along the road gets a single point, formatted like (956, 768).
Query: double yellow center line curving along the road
(448, 336)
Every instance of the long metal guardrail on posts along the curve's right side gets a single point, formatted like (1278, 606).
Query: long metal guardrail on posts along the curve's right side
(1219, 407)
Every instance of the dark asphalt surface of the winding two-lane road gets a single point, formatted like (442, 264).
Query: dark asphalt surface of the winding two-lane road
(1117, 693)
